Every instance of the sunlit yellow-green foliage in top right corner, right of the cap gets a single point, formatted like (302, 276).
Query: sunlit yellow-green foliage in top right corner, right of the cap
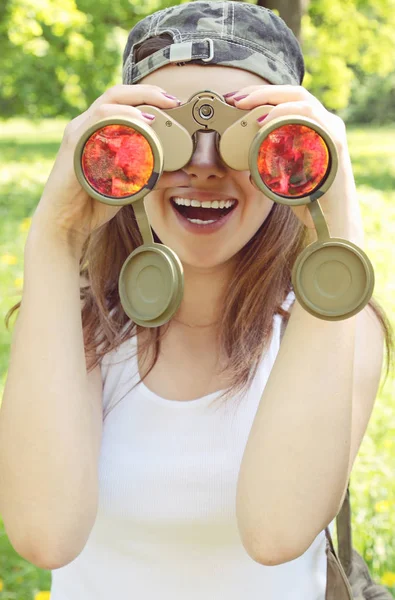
(345, 42)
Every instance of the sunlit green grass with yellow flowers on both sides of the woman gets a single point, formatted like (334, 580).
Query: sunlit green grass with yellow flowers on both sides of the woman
(27, 154)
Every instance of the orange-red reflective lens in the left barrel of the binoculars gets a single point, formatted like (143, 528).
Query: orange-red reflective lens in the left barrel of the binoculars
(117, 161)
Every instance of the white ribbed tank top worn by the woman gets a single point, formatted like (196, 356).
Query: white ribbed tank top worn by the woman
(166, 524)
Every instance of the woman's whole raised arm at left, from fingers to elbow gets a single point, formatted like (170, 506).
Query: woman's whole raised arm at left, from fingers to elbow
(51, 417)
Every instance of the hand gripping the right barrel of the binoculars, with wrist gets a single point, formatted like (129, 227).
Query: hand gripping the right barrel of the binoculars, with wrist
(340, 202)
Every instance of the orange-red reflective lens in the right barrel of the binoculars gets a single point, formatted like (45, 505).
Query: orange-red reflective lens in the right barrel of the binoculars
(293, 160)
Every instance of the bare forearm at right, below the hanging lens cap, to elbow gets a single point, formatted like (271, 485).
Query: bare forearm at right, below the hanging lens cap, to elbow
(307, 432)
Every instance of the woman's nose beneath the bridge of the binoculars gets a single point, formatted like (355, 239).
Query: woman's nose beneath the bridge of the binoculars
(205, 163)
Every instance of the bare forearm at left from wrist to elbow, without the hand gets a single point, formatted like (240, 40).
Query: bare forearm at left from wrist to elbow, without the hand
(49, 424)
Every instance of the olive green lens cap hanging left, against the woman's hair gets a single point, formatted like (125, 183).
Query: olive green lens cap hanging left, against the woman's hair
(151, 285)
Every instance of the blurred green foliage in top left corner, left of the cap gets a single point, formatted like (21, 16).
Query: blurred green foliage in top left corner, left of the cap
(60, 55)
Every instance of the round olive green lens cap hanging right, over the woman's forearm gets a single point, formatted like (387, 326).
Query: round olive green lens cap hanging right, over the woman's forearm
(333, 280)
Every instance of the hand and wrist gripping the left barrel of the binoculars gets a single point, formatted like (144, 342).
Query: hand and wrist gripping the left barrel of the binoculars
(65, 209)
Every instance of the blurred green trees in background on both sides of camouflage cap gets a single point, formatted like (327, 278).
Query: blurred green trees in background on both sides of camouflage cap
(58, 56)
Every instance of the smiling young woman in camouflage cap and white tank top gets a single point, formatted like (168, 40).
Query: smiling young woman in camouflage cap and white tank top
(117, 473)
